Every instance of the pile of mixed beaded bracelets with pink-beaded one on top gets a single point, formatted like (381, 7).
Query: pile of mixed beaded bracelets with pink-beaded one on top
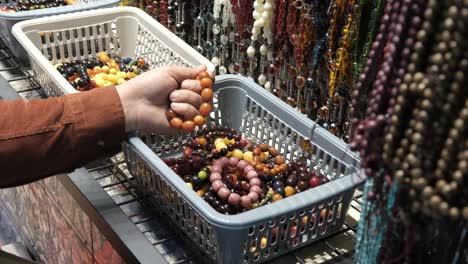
(234, 175)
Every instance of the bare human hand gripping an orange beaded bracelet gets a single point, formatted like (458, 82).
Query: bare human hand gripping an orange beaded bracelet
(146, 98)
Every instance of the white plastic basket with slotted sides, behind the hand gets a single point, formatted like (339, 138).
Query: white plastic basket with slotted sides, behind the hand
(119, 31)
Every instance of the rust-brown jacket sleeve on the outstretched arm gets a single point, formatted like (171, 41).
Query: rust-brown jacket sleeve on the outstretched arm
(41, 138)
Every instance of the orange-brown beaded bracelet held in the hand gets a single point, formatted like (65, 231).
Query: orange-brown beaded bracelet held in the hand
(205, 109)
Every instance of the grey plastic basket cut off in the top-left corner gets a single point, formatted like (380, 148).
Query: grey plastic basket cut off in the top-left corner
(8, 20)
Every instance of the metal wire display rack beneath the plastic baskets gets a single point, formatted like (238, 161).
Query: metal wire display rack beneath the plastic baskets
(111, 180)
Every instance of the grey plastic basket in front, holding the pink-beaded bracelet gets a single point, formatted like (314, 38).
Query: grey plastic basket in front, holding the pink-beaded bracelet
(243, 105)
